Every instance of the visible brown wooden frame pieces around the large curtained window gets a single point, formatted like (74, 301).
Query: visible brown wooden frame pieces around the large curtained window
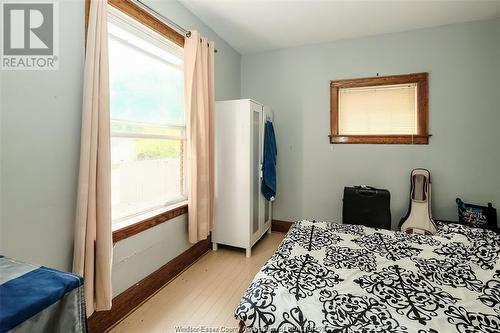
(139, 14)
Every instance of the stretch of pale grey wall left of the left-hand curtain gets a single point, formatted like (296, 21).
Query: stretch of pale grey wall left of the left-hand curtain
(40, 137)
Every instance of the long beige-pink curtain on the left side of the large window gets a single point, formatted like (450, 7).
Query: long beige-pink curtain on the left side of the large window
(92, 256)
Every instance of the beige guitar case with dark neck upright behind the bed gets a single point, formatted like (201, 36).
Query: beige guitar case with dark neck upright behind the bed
(419, 220)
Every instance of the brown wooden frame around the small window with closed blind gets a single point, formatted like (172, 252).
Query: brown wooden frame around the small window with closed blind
(422, 136)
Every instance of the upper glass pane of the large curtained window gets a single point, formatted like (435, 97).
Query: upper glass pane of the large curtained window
(143, 87)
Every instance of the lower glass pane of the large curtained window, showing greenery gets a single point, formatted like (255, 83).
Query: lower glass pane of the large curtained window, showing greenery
(145, 174)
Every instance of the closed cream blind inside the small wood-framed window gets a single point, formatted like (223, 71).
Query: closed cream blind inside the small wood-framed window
(378, 110)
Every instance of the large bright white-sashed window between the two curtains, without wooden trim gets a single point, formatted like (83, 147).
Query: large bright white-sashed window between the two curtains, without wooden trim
(148, 130)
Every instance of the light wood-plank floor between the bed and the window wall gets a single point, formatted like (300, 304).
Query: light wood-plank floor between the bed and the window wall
(205, 294)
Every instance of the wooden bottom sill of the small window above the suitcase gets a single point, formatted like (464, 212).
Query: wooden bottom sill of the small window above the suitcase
(380, 139)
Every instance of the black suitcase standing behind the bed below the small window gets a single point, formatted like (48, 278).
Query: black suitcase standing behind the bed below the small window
(367, 206)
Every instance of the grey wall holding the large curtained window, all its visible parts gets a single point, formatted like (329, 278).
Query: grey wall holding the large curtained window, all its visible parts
(40, 140)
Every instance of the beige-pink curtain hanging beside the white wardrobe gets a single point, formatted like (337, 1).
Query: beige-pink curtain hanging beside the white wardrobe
(199, 106)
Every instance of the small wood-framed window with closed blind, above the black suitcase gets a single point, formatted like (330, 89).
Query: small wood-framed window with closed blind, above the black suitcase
(390, 109)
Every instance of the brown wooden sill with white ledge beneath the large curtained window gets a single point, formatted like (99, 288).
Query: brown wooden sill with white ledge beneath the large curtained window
(136, 225)
